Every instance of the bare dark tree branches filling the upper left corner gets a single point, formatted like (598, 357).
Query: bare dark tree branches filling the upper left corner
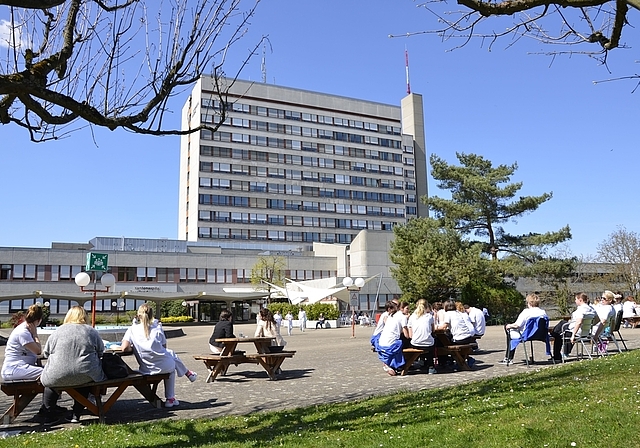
(113, 63)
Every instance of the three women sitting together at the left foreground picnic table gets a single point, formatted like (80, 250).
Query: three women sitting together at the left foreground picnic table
(74, 353)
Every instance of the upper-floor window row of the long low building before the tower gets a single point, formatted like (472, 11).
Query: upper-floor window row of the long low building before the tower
(18, 272)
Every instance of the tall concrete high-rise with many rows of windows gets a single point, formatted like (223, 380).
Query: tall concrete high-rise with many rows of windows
(291, 167)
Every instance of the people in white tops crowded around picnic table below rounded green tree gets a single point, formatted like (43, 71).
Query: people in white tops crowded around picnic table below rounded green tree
(398, 329)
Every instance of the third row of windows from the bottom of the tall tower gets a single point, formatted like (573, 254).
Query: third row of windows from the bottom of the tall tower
(309, 206)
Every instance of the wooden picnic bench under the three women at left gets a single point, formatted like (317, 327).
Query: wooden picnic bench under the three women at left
(24, 392)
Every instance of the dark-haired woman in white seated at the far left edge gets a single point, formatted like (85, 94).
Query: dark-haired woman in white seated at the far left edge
(23, 348)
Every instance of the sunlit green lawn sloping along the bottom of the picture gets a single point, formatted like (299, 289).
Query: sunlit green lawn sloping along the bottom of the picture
(583, 404)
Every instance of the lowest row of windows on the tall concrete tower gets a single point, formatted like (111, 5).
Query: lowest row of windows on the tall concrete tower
(280, 235)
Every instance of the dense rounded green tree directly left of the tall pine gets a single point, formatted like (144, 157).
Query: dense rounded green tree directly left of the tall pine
(433, 261)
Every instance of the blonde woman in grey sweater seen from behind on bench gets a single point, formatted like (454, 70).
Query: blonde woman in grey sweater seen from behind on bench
(73, 355)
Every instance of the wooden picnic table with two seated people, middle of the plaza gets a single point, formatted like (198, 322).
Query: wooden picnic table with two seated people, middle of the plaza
(219, 363)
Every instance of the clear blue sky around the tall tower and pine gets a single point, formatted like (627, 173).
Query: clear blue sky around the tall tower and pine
(568, 135)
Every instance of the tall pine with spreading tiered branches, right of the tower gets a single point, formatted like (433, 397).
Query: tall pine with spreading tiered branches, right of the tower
(482, 199)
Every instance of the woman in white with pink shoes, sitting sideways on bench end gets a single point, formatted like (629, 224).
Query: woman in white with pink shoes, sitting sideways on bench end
(149, 344)
